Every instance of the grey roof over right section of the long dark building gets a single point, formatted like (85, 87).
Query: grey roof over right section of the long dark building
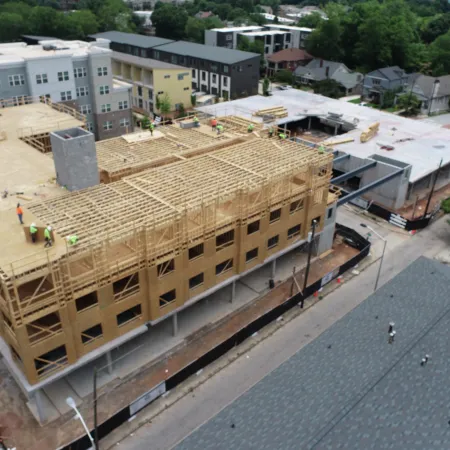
(217, 54)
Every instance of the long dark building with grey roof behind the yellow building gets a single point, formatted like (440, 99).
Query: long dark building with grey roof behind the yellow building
(217, 71)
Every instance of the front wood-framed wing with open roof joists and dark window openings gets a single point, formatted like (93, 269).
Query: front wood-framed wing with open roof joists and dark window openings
(143, 221)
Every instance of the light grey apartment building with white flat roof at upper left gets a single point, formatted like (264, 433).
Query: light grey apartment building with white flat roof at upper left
(73, 72)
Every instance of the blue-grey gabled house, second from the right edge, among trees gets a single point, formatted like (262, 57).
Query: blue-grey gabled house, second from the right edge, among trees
(377, 82)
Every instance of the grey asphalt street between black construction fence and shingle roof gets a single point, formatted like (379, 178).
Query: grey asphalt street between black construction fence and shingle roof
(174, 424)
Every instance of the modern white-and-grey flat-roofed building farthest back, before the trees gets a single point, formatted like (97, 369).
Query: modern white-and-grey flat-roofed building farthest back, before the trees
(275, 37)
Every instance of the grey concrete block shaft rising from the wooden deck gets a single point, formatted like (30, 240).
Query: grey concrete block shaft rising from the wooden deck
(75, 158)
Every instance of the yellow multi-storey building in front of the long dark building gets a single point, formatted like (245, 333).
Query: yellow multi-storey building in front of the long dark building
(152, 79)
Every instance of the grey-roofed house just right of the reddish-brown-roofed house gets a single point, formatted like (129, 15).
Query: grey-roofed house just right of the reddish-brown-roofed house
(319, 70)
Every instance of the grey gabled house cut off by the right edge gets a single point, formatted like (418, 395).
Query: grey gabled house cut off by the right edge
(434, 93)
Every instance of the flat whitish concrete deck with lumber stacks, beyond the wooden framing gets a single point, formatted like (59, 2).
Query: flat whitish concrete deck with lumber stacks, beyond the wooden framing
(420, 144)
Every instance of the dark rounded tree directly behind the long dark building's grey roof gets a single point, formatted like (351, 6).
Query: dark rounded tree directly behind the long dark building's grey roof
(169, 21)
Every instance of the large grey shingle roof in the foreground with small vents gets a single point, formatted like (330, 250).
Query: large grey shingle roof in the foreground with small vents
(361, 393)
